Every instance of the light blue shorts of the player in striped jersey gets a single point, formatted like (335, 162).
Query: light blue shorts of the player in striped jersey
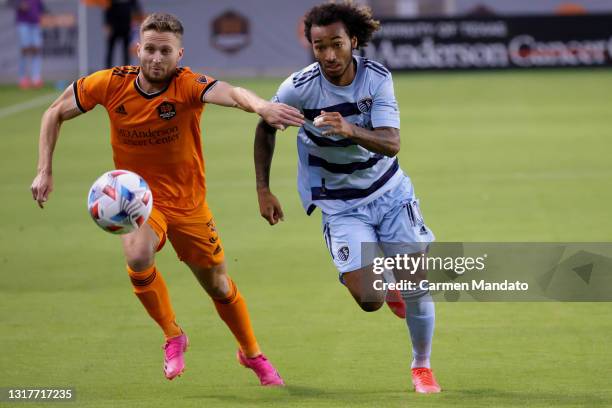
(391, 224)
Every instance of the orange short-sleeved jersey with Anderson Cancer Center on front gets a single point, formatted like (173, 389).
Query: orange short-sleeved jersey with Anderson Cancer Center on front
(155, 135)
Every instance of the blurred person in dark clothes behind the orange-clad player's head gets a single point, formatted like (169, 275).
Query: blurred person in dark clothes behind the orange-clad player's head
(118, 21)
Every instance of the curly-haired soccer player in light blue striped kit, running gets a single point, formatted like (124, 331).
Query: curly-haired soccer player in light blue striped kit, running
(348, 169)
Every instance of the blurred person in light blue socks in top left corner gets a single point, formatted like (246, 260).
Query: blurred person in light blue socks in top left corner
(28, 14)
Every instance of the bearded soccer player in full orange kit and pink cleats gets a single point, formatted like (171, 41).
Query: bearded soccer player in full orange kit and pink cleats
(155, 110)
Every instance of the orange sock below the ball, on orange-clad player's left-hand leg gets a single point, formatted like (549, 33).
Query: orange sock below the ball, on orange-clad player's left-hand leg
(151, 289)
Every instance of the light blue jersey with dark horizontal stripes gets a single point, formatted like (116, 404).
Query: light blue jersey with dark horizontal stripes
(334, 173)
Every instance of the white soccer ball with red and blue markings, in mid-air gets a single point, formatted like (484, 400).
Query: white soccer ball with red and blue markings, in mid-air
(120, 201)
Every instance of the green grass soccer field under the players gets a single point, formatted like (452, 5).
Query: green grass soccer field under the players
(494, 157)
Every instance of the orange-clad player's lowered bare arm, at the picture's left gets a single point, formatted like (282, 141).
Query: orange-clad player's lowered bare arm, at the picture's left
(64, 108)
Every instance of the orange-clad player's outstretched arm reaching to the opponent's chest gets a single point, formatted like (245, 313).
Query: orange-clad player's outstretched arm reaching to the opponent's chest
(278, 115)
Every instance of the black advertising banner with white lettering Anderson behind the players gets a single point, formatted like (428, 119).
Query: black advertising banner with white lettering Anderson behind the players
(494, 43)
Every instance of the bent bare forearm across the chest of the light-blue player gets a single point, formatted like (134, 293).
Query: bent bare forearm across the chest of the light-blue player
(383, 140)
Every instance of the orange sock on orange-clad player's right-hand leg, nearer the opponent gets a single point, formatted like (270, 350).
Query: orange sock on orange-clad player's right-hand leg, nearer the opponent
(234, 313)
